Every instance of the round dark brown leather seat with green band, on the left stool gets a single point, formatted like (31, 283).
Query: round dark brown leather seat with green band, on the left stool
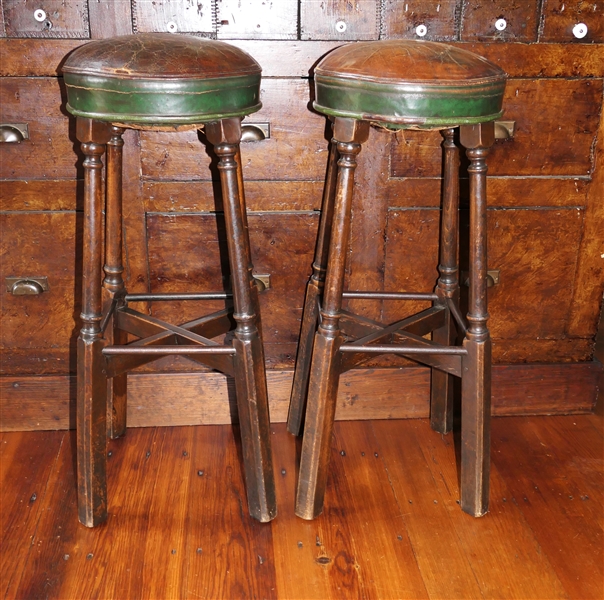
(161, 79)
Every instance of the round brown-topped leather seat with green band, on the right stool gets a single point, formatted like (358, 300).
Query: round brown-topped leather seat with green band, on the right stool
(404, 84)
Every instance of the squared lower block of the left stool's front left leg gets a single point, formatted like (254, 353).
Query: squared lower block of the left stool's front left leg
(91, 433)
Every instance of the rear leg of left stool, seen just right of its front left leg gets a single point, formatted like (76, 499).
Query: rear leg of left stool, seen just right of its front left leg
(113, 284)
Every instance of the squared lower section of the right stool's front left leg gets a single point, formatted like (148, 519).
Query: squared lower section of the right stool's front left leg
(318, 426)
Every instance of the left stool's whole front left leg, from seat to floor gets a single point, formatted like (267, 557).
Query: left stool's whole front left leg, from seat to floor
(91, 381)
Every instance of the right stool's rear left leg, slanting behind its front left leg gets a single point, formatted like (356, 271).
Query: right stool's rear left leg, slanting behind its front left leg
(314, 289)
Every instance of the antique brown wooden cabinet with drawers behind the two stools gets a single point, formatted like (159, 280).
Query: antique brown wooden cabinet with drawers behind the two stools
(546, 196)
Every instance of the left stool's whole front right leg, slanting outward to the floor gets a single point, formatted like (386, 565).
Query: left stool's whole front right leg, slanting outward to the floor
(250, 375)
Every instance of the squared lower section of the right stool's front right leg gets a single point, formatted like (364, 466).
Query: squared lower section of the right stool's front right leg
(475, 427)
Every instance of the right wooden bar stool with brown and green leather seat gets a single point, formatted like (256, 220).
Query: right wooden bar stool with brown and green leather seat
(400, 84)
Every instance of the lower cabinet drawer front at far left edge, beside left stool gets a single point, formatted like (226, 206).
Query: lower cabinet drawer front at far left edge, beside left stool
(38, 331)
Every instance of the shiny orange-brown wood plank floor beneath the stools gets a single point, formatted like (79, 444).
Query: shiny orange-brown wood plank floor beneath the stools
(392, 527)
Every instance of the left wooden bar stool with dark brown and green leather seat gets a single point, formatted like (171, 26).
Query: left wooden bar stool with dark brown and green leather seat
(166, 82)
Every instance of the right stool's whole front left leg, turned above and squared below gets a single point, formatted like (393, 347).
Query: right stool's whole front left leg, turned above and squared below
(325, 363)
